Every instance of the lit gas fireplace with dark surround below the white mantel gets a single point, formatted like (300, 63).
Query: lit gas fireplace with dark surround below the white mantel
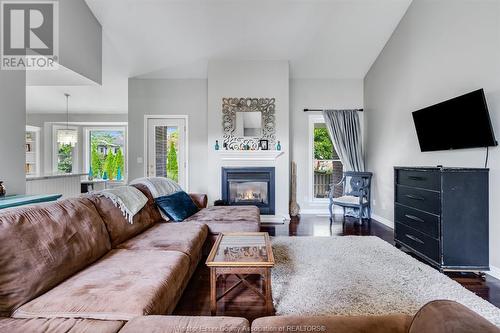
(249, 186)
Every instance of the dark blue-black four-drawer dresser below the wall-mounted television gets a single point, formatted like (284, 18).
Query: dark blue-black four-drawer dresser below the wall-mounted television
(441, 215)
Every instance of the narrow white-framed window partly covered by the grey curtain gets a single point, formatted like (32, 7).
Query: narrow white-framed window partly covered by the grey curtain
(326, 165)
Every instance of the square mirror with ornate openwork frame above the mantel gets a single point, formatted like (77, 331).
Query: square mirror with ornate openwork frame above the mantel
(238, 135)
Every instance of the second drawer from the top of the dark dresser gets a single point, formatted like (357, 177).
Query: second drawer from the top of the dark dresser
(427, 201)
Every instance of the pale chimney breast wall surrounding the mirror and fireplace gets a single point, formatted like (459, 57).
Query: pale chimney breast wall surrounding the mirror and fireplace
(253, 79)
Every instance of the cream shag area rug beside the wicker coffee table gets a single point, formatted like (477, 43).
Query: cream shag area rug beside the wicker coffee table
(351, 275)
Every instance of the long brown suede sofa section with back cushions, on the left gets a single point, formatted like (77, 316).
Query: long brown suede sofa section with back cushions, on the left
(79, 258)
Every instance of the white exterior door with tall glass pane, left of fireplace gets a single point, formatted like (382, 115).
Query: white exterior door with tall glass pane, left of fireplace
(166, 149)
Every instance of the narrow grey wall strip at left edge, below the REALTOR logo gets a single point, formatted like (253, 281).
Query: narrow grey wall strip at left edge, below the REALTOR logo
(12, 130)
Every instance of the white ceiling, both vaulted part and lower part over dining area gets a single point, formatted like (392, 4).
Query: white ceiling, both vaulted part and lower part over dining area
(176, 39)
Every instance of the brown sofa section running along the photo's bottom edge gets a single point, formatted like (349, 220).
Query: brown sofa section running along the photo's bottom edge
(435, 317)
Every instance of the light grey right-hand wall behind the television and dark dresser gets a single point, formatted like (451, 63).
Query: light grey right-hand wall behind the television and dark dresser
(441, 49)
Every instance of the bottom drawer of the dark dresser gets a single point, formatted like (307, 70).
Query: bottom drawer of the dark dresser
(418, 241)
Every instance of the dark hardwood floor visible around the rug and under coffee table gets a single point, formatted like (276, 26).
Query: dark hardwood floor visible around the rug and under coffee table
(242, 302)
